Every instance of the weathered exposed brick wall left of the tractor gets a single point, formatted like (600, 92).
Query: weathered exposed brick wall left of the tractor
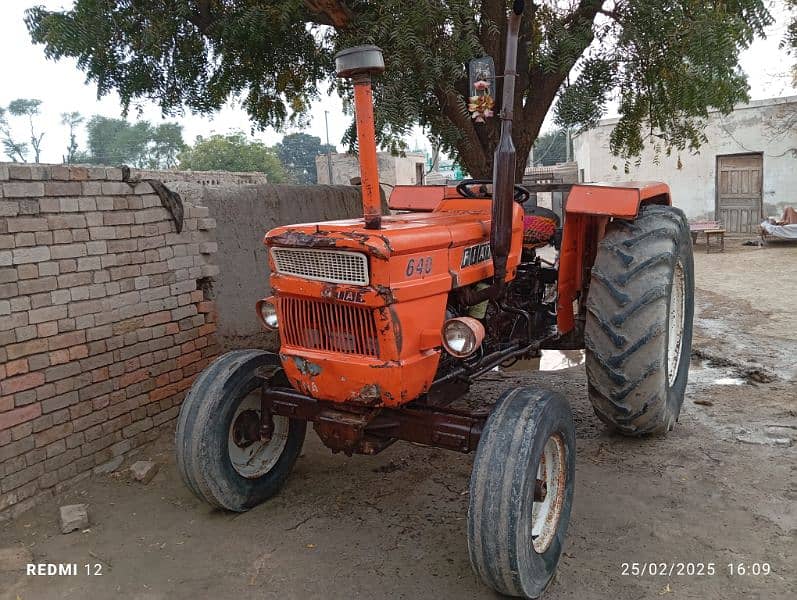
(103, 322)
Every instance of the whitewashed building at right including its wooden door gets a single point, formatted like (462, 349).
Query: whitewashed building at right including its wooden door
(746, 170)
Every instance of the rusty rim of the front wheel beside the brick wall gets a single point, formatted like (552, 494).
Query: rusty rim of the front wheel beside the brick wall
(252, 457)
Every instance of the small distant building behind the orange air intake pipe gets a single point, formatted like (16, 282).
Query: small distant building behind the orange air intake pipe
(393, 170)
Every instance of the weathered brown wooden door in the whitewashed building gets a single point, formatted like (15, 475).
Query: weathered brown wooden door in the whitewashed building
(739, 184)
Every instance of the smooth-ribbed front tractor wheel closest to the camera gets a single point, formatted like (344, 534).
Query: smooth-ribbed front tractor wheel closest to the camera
(521, 491)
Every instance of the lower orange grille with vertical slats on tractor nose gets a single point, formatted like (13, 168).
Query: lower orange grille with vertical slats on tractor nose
(329, 327)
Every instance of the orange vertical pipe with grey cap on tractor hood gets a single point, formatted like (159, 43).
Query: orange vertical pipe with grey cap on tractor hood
(358, 64)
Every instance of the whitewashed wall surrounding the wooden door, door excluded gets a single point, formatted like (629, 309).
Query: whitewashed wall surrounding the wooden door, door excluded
(756, 127)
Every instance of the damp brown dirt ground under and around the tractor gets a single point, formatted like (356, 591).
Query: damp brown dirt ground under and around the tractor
(721, 489)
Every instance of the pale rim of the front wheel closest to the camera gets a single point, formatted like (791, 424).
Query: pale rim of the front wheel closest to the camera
(552, 475)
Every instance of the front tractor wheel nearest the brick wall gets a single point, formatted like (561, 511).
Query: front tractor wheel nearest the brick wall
(219, 451)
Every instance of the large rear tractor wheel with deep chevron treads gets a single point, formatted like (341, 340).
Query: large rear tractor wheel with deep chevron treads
(638, 333)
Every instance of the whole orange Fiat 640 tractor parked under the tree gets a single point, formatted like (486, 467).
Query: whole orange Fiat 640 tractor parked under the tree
(385, 321)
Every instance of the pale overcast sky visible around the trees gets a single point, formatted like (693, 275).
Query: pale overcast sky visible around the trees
(62, 87)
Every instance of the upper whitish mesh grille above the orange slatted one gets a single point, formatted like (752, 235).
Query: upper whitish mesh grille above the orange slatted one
(335, 266)
